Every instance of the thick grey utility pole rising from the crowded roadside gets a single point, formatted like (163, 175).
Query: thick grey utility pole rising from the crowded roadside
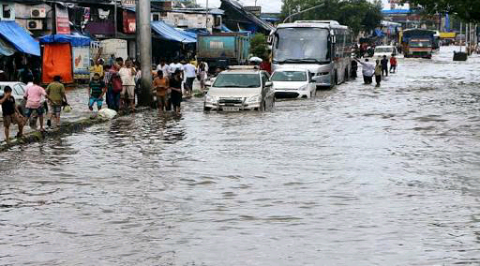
(144, 35)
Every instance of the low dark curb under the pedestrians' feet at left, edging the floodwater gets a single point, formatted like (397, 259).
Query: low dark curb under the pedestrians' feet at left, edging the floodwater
(64, 129)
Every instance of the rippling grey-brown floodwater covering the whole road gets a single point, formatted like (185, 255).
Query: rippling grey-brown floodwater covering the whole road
(358, 176)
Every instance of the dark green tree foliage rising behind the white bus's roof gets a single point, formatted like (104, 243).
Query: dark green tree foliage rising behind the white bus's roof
(357, 14)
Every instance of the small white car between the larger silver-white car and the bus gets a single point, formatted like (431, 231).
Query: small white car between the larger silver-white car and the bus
(293, 84)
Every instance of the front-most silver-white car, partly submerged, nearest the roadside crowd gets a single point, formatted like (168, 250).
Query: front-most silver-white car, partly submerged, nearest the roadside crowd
(240, 89)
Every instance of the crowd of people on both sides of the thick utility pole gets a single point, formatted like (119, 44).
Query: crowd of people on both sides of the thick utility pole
(119, 80)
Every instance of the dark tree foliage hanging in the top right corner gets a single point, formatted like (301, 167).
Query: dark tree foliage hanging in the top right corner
(468, 10)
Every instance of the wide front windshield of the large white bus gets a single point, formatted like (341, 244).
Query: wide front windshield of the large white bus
(307, 45)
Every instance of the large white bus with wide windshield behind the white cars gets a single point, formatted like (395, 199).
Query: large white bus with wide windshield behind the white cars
(323, 47)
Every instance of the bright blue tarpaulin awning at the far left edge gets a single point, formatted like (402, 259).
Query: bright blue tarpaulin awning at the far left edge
(19, 38)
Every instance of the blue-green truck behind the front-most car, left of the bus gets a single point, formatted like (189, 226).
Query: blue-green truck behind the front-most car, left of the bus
(221, 50)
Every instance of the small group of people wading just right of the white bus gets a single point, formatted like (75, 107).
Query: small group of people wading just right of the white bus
(379, 70)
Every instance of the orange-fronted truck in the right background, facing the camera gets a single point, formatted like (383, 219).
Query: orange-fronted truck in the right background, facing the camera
(419, 43)
